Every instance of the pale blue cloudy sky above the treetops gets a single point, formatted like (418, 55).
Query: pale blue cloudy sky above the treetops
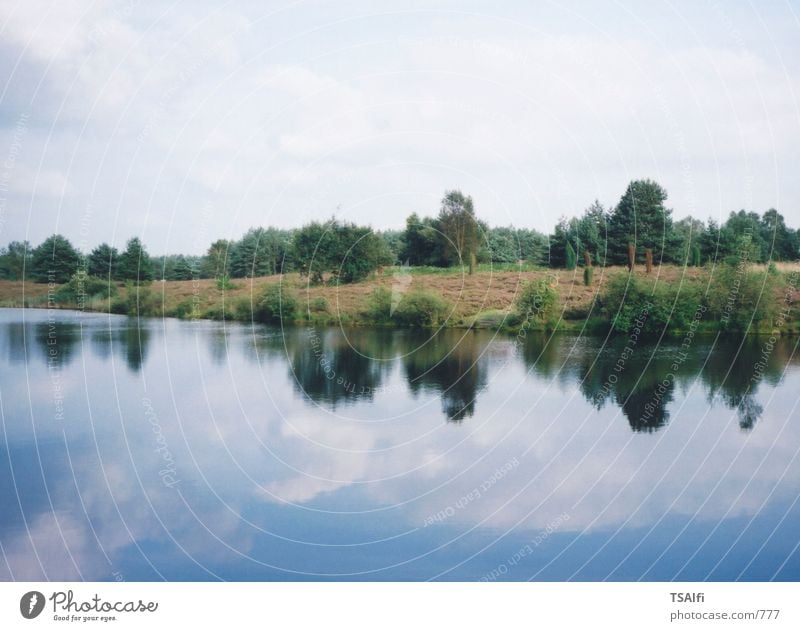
(185, 122)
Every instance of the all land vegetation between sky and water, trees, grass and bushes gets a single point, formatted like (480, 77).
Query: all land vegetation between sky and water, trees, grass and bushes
(725, 272)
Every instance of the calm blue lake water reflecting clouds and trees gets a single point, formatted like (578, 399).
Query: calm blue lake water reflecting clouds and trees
(202, 451)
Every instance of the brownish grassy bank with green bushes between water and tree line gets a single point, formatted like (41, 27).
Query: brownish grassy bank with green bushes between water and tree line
(675, 298)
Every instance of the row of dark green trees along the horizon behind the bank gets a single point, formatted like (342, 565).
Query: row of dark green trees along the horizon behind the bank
(640, 228)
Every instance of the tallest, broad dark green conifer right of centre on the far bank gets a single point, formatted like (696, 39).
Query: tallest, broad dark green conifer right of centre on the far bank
(642, 219)
